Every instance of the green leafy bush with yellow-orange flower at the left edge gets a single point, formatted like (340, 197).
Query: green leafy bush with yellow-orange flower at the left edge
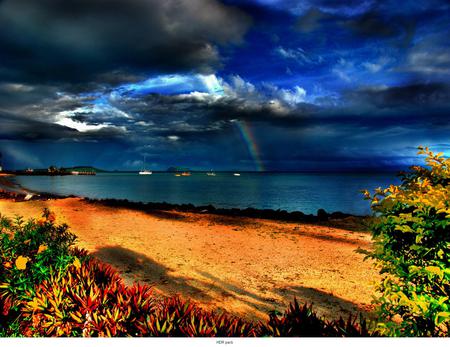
(29, 252)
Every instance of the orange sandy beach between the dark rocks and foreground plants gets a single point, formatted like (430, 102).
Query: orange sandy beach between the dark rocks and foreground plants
(240, 265)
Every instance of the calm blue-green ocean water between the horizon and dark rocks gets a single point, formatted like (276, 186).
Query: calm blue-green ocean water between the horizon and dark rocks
(306, 192)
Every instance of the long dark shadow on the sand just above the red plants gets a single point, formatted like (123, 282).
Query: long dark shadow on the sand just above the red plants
(208, 289)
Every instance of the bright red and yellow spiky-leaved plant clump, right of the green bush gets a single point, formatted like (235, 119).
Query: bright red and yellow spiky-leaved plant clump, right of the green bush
(89, 300)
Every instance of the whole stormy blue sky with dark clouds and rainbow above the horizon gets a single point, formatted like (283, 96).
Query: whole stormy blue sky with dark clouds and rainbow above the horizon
(254, 85)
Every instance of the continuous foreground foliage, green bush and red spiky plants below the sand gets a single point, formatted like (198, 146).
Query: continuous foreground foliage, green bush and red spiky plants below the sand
(48, 288)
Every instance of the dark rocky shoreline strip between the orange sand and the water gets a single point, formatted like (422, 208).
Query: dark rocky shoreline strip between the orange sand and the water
(12, 190)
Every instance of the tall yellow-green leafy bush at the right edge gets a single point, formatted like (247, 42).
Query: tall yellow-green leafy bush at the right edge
(412, 238)
